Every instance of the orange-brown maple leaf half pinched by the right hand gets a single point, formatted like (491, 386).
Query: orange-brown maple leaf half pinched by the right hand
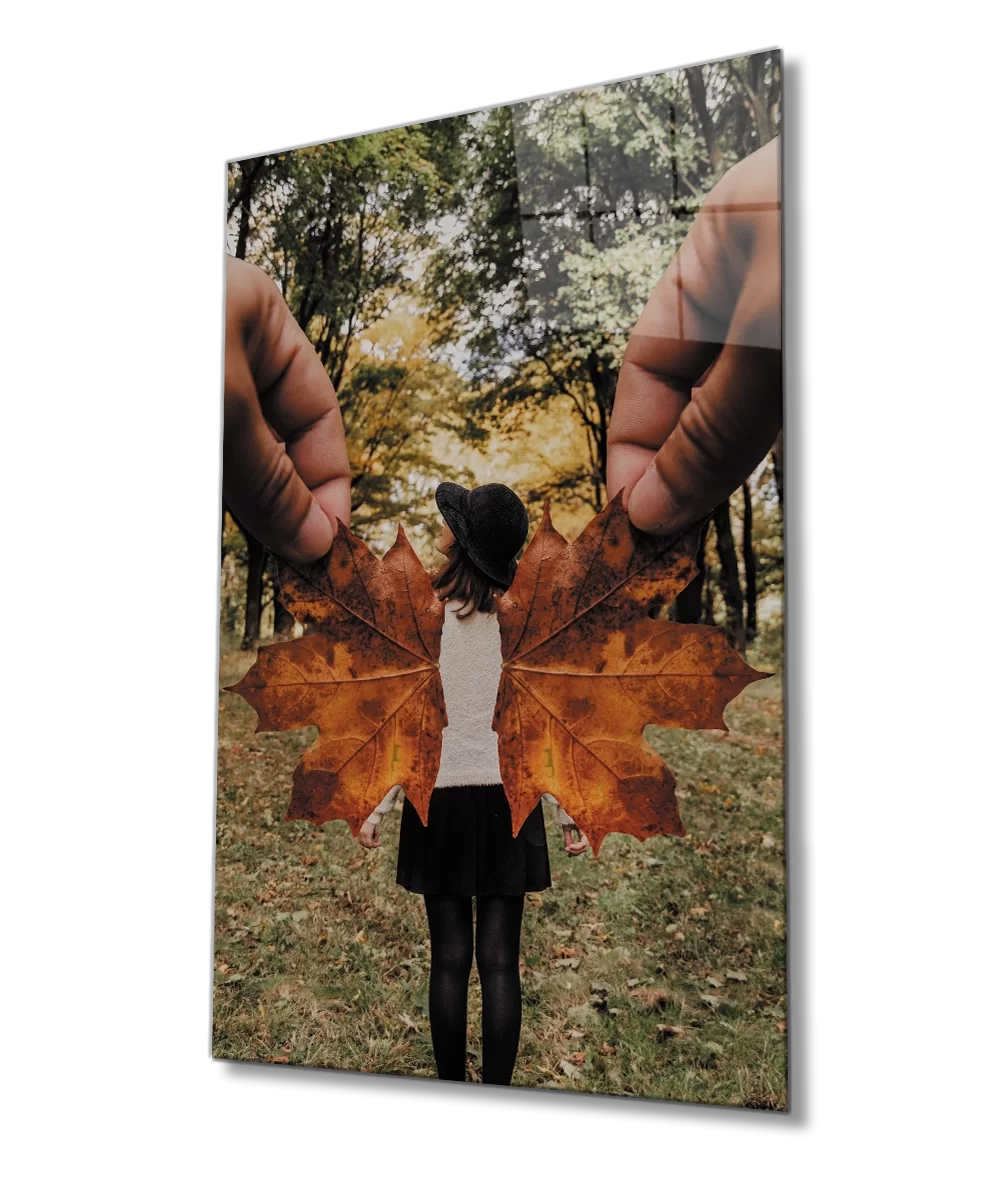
(586, 669)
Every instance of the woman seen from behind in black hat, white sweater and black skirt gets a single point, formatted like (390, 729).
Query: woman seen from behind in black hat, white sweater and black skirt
(468, 851)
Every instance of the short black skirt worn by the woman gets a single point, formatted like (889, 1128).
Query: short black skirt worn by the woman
(468, 849)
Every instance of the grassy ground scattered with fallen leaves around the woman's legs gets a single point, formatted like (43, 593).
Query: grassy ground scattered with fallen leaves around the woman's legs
(656, 970)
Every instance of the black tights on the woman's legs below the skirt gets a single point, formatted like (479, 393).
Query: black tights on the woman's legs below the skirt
(498, 953)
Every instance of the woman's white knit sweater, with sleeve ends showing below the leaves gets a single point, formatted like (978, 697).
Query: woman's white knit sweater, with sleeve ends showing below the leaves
(471, 667)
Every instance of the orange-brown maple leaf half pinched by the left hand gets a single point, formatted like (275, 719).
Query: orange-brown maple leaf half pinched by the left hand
(368, 679)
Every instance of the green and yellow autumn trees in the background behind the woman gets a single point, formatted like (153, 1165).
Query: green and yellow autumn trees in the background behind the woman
(471, 284)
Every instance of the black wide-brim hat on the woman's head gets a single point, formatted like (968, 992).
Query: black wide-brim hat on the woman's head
(490, 524)
